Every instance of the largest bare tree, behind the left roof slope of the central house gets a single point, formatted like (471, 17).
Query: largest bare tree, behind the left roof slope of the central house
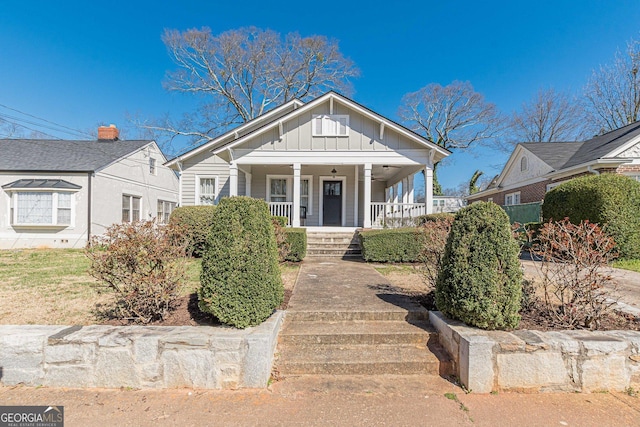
(243, 73)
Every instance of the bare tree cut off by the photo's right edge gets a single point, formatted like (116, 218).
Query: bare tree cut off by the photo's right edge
(613, 91)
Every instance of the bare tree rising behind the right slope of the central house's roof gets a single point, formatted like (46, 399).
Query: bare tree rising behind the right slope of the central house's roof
(453, 116)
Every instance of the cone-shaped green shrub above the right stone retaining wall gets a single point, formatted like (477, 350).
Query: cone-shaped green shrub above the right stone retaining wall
(480, 282)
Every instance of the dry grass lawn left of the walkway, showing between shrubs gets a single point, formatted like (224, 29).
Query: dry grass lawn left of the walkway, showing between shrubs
(52, 287)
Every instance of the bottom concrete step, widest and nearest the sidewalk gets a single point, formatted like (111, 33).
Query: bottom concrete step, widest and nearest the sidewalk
(357, 359)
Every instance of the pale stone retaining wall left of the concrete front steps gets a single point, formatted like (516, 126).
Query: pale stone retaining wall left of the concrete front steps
(138, 356)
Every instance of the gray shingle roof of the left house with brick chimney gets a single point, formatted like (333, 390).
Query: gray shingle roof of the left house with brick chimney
(63, 155)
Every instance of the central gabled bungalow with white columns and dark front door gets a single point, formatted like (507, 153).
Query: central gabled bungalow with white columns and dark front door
(327, 162)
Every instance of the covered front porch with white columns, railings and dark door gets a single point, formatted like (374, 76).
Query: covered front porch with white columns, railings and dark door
(365, 195)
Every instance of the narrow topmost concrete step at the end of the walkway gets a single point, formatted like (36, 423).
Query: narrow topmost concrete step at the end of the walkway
(417, 313)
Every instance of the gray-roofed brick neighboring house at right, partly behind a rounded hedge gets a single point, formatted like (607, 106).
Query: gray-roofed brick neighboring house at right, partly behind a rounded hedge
(535, 168)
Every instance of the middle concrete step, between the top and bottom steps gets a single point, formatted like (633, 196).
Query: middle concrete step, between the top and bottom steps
(357, 332)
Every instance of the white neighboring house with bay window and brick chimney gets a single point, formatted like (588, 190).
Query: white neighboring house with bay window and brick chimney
(58, 193)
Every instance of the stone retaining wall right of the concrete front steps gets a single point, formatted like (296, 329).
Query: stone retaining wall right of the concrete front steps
(585, 361)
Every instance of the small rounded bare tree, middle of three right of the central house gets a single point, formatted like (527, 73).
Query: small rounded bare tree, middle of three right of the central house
(550, 116)
